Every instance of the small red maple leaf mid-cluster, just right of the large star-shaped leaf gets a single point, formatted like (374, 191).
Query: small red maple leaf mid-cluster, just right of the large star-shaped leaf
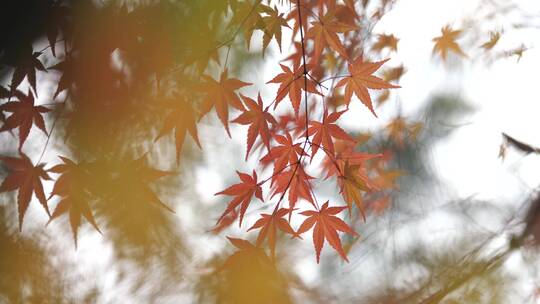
(283, 154)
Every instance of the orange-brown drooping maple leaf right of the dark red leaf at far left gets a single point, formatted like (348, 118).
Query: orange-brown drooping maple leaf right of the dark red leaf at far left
(74, 201)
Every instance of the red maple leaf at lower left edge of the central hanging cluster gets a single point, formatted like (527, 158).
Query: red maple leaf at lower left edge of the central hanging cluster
(243, 193)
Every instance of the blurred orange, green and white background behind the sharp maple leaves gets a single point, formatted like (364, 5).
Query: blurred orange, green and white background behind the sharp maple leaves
(457, 226)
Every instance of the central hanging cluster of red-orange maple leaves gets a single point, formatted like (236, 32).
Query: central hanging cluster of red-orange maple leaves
(292, 141)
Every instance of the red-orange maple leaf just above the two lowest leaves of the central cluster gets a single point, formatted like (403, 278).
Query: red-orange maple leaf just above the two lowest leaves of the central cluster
(296, 181)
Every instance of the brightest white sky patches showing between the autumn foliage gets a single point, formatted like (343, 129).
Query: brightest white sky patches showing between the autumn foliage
(505, 94)
